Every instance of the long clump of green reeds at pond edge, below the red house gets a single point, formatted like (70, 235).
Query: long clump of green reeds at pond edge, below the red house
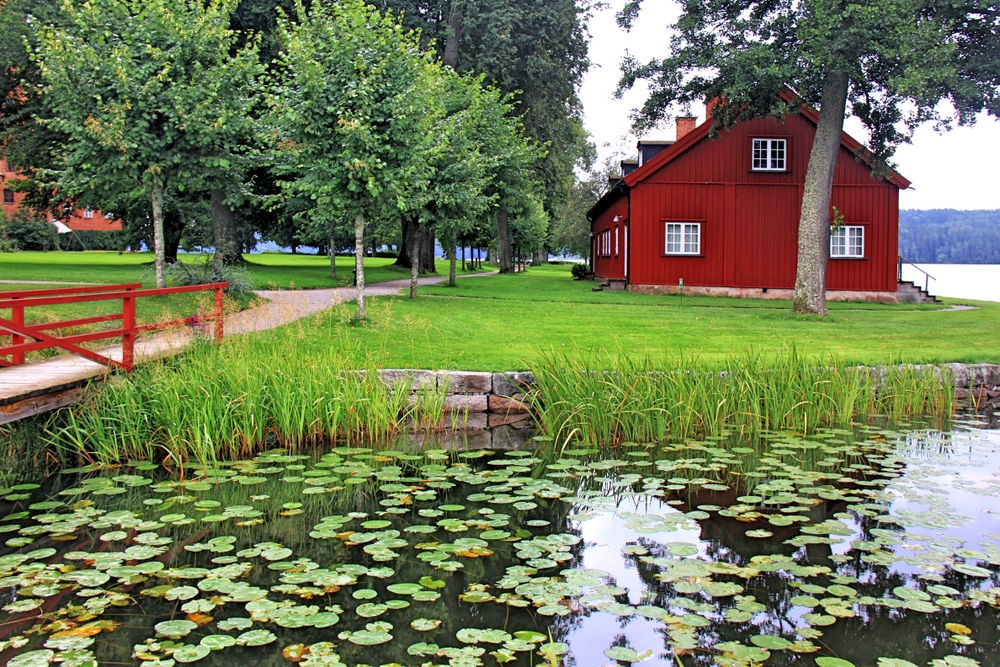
(604, 399)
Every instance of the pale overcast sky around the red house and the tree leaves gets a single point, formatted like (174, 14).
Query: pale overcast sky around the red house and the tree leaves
(956, 169)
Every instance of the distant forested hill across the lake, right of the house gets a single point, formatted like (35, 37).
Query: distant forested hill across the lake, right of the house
(946, 236)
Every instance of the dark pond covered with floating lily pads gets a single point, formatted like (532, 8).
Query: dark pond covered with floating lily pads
(866, 546)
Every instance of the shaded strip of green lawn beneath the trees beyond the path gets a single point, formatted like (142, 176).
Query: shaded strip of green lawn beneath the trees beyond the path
(267, 270)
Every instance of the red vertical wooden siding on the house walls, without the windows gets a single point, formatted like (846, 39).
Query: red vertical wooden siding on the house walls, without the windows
(749, 220)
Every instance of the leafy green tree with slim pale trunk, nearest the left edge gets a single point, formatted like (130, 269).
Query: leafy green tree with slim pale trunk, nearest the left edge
(148, 94)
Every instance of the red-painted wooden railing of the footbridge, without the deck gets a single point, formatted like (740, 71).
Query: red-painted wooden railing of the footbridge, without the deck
(20, 333)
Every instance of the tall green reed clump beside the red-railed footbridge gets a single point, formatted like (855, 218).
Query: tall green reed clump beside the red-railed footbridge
(228, 401)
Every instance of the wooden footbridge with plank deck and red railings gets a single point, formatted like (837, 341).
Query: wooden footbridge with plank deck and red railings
(30, 389)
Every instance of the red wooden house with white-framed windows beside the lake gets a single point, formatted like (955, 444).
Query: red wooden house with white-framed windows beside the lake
(720, 216)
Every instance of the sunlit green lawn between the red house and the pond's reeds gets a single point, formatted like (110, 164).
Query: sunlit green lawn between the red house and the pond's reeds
(505, 322)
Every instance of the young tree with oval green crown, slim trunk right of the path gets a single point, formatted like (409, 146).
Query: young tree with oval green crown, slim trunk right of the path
(351, 111)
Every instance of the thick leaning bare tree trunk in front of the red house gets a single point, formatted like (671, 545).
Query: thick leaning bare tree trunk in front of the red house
(814, 220)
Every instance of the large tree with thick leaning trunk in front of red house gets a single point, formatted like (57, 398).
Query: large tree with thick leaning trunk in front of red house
(890, 63)
